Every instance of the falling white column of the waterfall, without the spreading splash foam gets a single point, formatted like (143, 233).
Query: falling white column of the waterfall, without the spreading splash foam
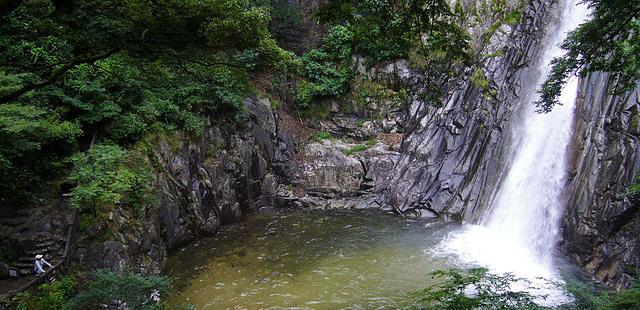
(528, 206)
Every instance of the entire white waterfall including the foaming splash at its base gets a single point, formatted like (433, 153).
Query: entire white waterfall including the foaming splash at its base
(518, 233)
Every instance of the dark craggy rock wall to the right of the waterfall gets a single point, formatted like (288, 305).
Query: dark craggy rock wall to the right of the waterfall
(602, 222)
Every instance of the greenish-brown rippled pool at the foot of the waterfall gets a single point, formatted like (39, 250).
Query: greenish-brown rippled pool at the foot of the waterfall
(289, 258)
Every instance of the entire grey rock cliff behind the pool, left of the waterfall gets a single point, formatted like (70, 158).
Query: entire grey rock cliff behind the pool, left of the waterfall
(447, 164)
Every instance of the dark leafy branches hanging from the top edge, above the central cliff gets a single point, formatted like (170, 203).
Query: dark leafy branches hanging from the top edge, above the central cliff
(384, 30)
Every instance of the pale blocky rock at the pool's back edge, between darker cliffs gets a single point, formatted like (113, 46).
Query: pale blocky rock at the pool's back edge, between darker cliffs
(333, 177)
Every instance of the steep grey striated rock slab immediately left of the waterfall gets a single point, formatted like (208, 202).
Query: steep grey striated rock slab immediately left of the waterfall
(453, 157)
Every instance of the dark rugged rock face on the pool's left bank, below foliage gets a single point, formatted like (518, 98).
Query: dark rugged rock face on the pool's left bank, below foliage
(199, 186)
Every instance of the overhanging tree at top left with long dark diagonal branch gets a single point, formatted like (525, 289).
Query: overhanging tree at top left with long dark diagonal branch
(45, 40)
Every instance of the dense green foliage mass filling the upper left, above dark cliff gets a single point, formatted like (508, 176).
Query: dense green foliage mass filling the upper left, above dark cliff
(78, 73)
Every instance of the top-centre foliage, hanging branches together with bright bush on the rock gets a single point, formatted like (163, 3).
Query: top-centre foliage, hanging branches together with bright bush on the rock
(380, 30)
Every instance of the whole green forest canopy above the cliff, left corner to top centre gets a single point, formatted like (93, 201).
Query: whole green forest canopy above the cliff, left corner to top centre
(104, 74)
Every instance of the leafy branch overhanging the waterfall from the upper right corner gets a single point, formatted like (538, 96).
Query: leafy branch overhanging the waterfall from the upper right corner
(609, 42)
